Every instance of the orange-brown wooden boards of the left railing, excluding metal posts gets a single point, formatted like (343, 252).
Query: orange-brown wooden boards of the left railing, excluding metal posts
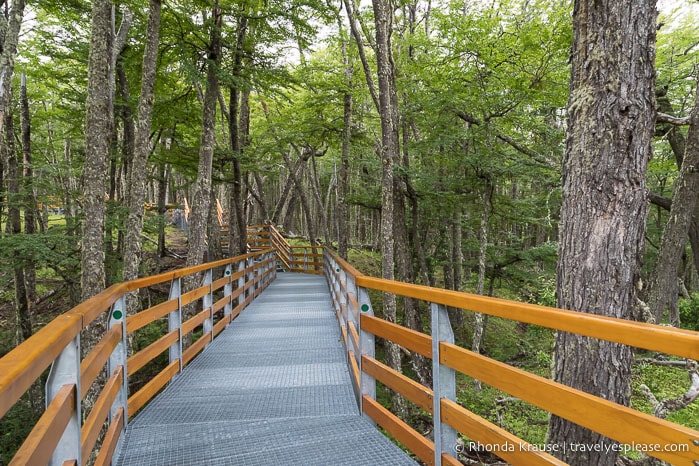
(22, 366)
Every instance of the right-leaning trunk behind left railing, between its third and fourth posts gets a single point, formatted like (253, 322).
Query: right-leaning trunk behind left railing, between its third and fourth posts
(197, 228)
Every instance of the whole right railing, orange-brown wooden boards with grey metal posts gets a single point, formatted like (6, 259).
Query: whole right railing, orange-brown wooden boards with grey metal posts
(670, 442)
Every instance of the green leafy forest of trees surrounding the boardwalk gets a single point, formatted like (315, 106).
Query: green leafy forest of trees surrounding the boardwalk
(459, 144)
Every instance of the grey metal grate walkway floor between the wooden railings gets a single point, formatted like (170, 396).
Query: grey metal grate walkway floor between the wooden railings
(273, 388)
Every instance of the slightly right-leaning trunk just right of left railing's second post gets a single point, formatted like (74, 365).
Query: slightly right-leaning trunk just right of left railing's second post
(133, 247)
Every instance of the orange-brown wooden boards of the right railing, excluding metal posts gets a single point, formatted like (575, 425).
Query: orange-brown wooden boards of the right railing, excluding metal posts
(618, 422)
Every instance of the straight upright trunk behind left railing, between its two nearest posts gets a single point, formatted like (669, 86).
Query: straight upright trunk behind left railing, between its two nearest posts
(98, 107)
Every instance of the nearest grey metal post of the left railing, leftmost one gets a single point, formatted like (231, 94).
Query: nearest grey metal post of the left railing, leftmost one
(65, 370)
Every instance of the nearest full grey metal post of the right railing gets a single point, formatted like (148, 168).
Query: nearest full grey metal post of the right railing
(443, 383)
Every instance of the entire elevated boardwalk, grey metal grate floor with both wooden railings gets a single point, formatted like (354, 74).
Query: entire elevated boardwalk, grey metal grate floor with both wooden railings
(269, 376)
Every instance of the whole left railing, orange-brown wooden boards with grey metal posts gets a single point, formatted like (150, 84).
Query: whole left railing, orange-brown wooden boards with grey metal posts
(61, 436)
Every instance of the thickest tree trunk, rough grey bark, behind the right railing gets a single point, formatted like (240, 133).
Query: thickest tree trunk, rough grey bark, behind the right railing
(611, 116)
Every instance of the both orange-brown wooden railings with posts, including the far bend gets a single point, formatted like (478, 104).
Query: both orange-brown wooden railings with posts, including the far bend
(61, 435)
